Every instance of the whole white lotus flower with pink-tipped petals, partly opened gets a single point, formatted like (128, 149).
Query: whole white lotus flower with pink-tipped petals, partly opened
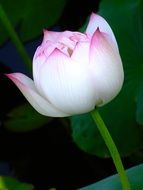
(73, 72)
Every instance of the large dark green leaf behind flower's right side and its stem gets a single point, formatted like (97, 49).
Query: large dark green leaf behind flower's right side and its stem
(124, 115)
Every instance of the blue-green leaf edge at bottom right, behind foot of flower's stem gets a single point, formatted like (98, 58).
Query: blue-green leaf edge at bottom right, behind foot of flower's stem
(135, 175)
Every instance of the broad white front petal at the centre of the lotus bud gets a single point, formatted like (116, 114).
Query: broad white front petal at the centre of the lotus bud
(68, 85)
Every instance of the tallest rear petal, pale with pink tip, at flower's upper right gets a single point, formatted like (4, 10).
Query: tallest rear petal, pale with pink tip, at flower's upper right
(97, 21)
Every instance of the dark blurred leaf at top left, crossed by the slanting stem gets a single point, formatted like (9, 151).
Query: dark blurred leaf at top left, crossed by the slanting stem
(31, 16)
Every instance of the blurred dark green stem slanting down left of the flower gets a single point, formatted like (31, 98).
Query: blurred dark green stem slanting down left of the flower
(14, 37)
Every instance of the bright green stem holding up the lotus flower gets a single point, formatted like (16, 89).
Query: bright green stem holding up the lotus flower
(112, 148)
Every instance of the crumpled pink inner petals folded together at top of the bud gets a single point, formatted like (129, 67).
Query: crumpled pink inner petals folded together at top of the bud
(64, 41)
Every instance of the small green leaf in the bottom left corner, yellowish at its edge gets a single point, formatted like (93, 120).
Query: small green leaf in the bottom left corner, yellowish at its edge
(9, 183)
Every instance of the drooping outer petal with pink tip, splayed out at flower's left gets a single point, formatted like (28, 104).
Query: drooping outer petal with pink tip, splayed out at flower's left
(26, 86)
